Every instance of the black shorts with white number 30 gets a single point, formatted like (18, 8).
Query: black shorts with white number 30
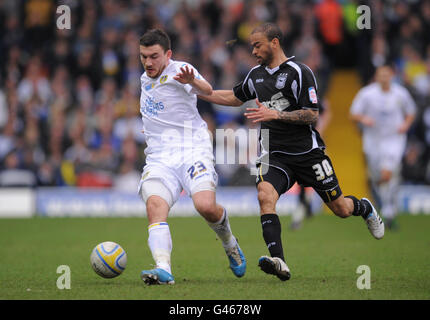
(313, 169)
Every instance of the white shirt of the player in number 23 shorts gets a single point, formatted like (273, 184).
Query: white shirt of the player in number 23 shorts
(171, 121)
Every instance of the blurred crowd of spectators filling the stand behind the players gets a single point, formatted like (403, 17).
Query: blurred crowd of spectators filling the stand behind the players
(69, 99)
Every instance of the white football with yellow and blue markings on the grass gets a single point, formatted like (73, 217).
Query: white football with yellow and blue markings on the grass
(108, 259)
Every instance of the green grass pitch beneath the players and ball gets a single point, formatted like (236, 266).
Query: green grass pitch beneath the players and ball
(323, 257)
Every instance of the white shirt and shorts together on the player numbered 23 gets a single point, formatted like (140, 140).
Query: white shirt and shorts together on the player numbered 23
(179, 148)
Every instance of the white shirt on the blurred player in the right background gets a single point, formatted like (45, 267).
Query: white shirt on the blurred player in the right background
(388, 109)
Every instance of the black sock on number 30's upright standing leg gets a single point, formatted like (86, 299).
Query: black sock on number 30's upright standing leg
(272, 234)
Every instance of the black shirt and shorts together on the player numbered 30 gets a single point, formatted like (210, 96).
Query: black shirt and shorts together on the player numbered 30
(295, 151)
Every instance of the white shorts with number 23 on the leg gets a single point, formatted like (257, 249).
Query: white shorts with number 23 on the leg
(168, 182)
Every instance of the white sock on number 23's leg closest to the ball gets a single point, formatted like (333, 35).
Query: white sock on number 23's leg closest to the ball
(160, 244)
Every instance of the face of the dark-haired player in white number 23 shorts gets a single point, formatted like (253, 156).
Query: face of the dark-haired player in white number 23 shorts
(154, 59)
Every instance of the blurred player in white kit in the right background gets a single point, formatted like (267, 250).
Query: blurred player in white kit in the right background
(385, 111)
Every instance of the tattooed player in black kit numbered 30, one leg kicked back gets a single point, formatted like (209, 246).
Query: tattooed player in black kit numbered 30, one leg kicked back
(286, 95)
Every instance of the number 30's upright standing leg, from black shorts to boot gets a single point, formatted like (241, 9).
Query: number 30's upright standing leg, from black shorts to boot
(270, 186)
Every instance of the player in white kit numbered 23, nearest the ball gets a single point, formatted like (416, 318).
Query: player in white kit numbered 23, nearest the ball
(179, 155)
